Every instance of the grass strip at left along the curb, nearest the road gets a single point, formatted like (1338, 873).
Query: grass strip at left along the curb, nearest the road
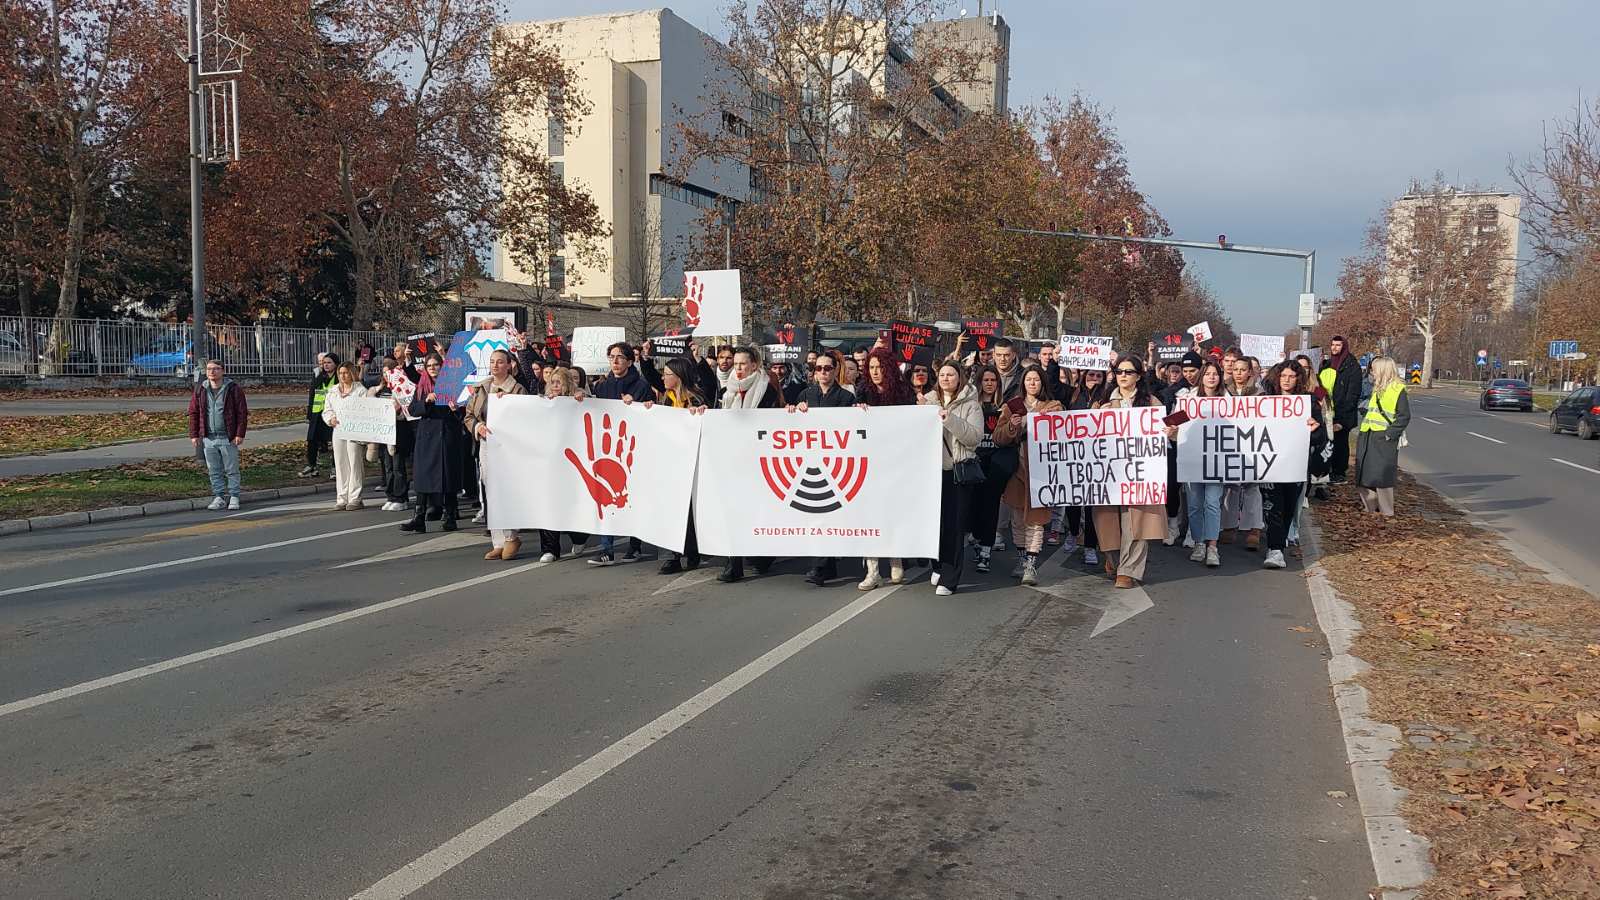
(276, 465)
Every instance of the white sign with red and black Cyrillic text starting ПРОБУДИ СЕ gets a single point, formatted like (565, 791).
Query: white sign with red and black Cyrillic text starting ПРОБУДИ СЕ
(1114, 457)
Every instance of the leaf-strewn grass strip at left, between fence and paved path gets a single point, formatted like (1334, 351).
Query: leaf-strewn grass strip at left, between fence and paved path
(22, 436)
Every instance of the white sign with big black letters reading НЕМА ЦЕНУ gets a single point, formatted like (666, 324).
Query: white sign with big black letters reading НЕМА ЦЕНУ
(1244, 440)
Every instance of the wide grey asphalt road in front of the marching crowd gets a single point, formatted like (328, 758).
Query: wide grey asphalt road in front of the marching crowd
(506, 729)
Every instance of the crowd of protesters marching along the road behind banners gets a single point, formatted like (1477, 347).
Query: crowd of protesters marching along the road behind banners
(983, 401)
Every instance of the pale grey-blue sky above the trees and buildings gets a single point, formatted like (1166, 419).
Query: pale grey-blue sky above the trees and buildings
(1286, 124)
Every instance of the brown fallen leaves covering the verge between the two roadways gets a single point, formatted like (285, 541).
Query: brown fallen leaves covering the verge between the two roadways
(1494, 673)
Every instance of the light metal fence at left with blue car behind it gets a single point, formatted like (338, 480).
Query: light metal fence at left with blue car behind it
(146, 350)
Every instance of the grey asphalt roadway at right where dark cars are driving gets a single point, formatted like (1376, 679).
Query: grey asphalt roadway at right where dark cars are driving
(1508, 468)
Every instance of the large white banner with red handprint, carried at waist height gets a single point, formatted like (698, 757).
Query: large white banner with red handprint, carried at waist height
(594, 467)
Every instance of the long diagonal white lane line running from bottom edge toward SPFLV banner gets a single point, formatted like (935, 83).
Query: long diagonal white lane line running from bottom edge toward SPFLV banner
(423, 870)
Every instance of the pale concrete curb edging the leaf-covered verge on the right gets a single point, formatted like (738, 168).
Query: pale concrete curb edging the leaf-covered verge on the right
(1401, 858)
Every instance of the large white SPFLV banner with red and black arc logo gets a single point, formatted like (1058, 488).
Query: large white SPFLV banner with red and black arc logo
(823, 483)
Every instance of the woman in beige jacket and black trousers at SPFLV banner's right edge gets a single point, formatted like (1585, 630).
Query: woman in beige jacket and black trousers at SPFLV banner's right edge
(964, 428)
